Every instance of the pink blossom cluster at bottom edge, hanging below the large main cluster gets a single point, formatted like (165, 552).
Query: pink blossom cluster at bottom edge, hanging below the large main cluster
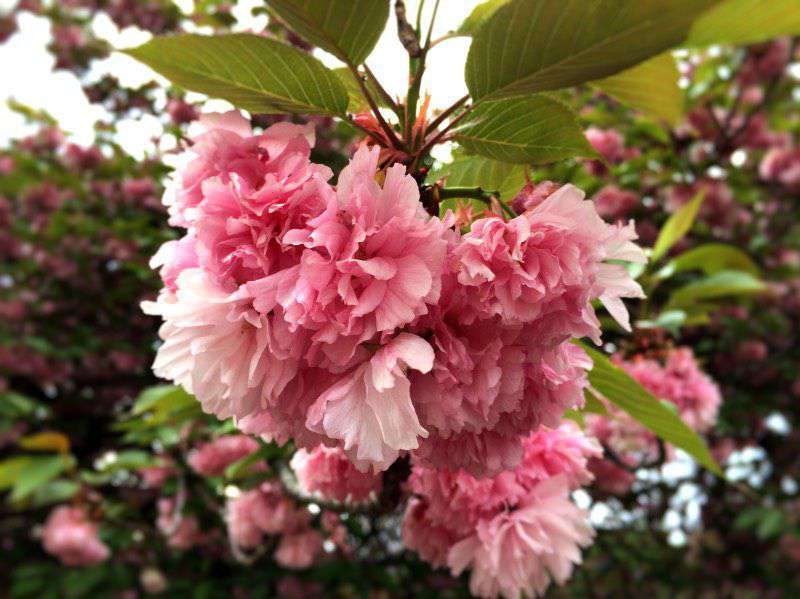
(516, 531)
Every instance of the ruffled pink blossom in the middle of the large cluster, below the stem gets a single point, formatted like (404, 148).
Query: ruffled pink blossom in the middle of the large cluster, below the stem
(372, 263)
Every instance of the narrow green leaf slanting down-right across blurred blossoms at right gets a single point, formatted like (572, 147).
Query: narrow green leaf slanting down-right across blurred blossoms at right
(627, 394)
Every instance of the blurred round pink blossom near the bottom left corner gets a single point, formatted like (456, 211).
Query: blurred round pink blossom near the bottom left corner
(72, 537)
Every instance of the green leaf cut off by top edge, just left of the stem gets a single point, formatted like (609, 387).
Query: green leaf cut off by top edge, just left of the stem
(348, 29)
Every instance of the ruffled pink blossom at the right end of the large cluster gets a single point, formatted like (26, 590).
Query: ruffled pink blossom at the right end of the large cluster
(550, 262)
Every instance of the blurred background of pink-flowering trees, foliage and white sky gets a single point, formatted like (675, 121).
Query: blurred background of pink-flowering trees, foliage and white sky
(89, 135)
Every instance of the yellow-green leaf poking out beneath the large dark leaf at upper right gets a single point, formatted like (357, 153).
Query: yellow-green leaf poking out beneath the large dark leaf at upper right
(651, 86)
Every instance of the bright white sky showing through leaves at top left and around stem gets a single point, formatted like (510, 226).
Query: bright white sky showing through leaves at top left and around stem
(30, 79)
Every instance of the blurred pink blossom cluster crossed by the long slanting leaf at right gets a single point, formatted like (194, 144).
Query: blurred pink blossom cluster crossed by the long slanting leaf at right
(677, 379)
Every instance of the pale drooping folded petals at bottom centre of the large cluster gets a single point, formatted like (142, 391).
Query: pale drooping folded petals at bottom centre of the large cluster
(369, 410)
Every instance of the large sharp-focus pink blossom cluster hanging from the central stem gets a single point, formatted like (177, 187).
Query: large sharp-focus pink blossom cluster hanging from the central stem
(349, 317)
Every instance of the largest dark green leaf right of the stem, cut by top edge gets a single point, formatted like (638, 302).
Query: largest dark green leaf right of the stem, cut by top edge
(529, 46)
